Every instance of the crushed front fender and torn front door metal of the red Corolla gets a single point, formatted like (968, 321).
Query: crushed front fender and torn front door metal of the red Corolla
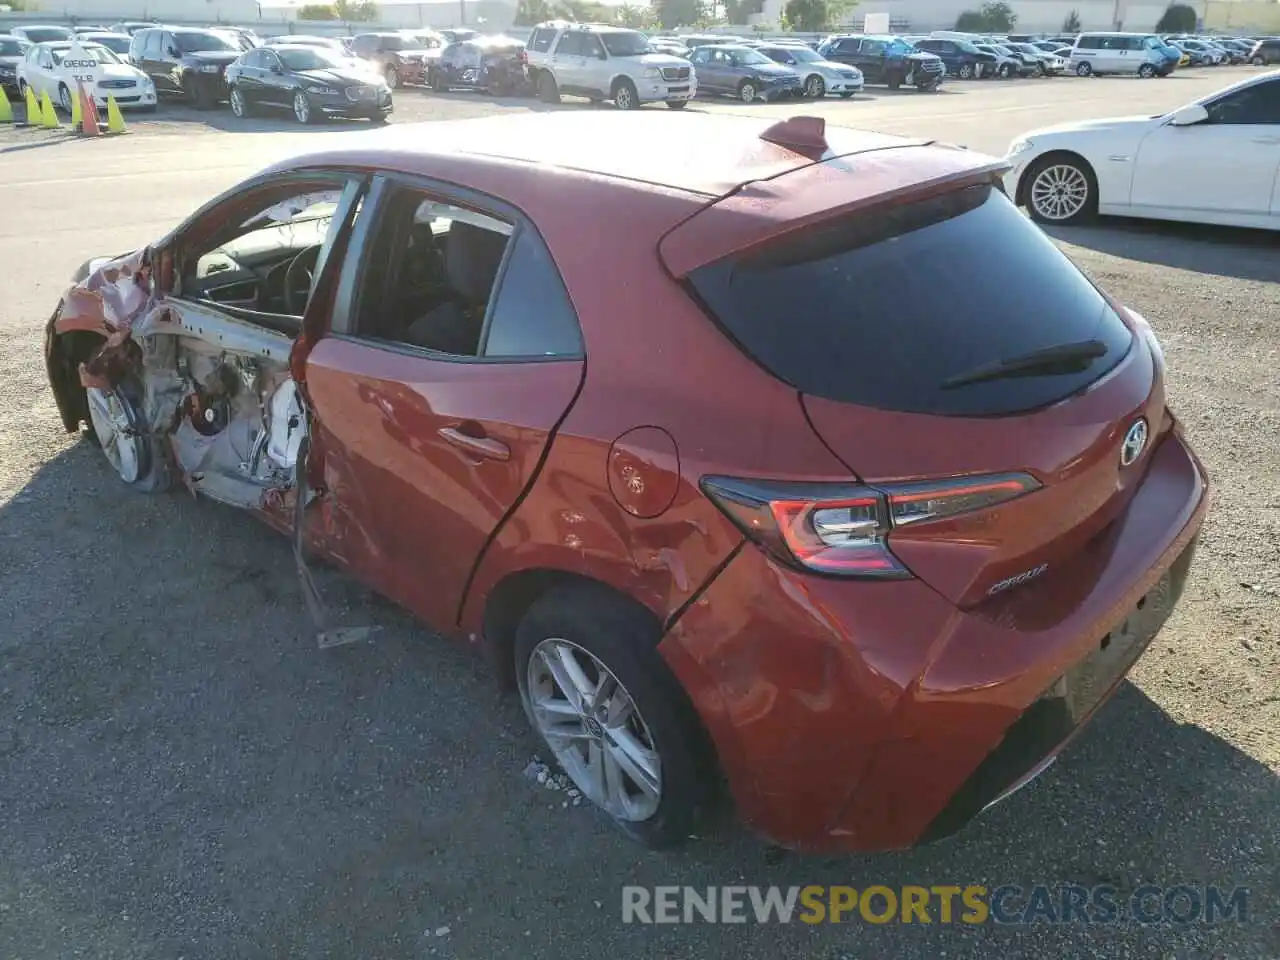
(213, 390)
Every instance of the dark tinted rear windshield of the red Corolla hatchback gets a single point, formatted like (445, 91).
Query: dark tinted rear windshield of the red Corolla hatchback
(884, 310)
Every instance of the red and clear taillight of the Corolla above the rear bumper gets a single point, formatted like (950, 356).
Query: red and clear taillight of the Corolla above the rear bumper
(844, 529)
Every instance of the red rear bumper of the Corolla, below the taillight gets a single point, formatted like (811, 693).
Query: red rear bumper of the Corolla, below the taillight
(856, 716)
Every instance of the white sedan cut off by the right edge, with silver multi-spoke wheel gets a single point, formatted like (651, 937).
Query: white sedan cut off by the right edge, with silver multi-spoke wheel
(1215, 161)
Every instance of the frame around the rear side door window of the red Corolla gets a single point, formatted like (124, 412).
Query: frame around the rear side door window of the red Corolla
(346, 309)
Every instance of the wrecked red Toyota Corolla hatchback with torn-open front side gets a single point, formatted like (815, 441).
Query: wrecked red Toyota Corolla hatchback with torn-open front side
(781, 455)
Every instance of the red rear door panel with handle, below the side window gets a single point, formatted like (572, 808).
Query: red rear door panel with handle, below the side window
(415, 510)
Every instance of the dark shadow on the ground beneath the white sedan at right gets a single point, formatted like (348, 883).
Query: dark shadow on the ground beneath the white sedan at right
(1226, 252)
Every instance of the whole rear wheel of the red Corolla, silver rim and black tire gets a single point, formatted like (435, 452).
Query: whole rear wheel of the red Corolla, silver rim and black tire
(606, 705)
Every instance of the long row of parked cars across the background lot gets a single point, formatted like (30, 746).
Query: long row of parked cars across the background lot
(317, 76)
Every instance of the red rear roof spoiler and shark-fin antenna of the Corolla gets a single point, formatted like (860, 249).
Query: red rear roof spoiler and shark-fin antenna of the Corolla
(831, 188)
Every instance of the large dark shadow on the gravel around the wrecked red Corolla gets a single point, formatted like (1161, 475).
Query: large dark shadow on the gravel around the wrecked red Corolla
(184, 772)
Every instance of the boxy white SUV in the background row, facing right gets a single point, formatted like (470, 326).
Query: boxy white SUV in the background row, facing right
(606, 63)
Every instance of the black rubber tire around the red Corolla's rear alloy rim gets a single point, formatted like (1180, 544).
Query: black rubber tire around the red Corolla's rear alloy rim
(625, 641)
